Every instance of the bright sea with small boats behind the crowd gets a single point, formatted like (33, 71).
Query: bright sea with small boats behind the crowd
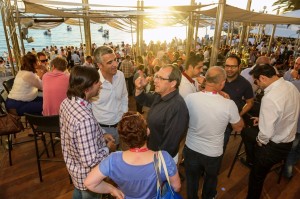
(61, 37)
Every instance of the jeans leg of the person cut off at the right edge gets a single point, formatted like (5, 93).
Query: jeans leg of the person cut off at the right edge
(293, 157)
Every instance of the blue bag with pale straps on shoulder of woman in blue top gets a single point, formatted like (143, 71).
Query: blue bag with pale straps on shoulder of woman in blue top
(164, 189)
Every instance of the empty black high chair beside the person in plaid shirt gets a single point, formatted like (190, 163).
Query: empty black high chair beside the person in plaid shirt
(42, 125)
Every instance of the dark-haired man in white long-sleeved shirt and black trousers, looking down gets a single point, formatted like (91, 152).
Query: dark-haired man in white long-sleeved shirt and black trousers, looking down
(277, 124)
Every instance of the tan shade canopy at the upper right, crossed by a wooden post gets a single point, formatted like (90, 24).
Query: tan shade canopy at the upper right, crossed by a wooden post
(232, 13)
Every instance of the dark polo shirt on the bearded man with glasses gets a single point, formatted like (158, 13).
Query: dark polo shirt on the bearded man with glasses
(239, 90)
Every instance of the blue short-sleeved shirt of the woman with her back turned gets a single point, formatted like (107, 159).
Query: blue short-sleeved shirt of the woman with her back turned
(135, 181)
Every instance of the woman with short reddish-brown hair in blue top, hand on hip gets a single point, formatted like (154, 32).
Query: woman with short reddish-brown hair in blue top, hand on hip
(131, 169)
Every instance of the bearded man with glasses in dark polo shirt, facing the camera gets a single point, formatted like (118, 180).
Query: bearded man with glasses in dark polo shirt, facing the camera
(238, 88)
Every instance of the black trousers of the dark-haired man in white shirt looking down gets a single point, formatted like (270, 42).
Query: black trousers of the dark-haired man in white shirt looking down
(266, 157)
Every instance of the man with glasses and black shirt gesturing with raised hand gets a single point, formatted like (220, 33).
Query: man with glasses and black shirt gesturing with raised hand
(168, 116)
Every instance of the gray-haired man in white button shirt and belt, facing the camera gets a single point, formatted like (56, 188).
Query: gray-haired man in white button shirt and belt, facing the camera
(112, 101)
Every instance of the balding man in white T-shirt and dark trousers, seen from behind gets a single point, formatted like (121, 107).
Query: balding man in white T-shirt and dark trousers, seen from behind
(205, 137)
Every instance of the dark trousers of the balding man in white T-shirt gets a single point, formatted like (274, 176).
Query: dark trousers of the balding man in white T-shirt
(197, 164)
